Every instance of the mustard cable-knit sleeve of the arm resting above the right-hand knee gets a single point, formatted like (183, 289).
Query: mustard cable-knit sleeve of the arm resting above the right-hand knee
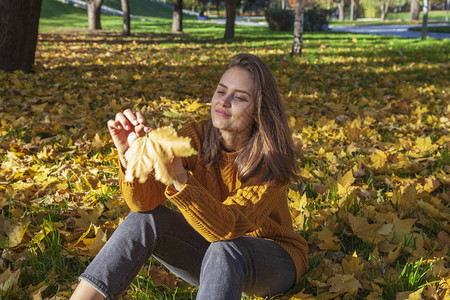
(242, 212)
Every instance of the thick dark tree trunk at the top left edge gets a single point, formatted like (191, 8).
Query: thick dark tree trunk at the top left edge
(19, 25)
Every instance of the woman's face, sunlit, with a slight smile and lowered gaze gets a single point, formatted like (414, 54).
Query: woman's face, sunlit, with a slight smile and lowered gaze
(233, 103)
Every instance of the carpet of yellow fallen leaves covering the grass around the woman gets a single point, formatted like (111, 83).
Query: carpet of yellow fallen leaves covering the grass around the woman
(371, 123)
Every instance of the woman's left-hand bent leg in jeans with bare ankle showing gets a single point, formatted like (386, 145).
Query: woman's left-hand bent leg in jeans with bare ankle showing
(162, 232)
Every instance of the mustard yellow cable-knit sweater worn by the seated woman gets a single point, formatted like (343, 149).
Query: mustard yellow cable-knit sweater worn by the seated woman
(221, 207)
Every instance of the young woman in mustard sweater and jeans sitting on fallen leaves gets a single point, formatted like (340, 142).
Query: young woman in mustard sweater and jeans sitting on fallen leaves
(233, 233)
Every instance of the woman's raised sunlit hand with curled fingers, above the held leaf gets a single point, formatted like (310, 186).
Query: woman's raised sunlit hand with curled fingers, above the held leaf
(125, 129)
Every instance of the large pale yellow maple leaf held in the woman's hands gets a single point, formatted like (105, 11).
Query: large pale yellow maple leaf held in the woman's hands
(155, 151)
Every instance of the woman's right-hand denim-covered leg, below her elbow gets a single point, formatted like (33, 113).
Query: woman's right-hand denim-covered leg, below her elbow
(251, 265)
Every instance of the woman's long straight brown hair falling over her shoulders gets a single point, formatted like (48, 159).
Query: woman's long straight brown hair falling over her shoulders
(270, 148)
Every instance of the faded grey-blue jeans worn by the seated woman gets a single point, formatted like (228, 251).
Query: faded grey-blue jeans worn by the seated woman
(222, 270)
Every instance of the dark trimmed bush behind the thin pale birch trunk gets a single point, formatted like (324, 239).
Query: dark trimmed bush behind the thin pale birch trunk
(283, 19)
